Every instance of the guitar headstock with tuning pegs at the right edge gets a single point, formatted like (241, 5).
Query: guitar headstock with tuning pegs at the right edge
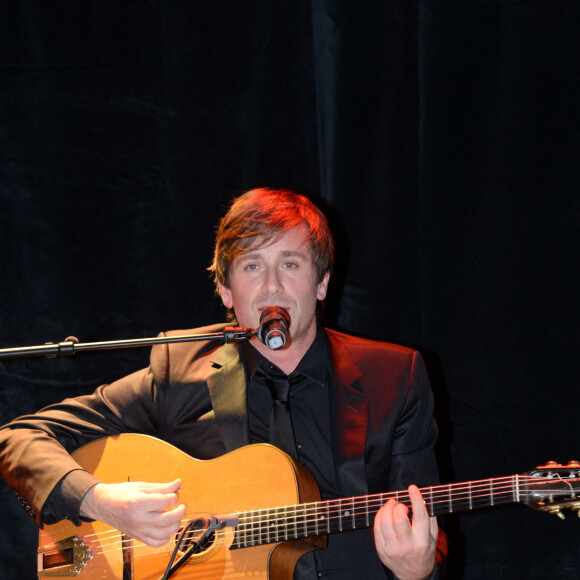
(552, 487)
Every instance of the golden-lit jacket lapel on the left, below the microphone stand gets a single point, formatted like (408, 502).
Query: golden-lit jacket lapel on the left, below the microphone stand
(227, 388)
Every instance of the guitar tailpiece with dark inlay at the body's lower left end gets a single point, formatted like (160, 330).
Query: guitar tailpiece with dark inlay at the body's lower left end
(65, 558)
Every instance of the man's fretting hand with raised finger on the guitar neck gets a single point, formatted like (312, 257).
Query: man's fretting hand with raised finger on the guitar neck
(406, 548)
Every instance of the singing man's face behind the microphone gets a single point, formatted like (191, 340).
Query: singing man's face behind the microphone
(281, 273)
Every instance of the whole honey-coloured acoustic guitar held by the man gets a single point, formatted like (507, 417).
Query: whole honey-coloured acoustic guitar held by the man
(256, 512)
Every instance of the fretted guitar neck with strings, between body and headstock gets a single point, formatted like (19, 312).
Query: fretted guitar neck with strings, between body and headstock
(281, 524)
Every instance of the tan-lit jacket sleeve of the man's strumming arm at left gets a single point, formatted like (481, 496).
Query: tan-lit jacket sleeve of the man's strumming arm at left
(35, 449)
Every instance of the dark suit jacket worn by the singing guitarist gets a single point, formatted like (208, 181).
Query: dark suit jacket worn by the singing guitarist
(193, 395)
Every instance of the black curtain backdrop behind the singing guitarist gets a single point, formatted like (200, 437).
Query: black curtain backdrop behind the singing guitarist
(441, 136)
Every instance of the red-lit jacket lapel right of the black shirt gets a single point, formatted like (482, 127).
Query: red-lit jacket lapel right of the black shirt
(349, 419)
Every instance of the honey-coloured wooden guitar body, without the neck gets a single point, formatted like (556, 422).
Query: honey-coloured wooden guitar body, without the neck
(250, 478)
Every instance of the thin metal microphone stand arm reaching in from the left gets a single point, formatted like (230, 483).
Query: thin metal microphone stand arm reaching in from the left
(71, 344)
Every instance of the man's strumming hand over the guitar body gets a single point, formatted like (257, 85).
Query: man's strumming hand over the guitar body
(147, 512)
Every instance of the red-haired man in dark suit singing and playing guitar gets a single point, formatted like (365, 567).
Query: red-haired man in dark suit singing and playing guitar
(361, 411)
